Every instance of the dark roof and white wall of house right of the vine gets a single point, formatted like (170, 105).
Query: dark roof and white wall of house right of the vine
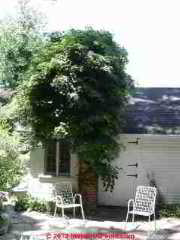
(152, 147)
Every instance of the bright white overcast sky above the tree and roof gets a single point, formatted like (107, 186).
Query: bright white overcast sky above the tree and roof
(148, 29)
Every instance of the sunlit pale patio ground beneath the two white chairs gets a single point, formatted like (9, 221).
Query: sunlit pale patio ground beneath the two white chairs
(104, 220)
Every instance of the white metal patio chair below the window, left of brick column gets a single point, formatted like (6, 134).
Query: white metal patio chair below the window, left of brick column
(64, 198)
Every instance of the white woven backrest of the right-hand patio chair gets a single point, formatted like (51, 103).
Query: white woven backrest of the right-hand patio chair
(145, 199)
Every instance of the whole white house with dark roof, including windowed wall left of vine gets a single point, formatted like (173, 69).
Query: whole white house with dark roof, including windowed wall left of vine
(151, 154)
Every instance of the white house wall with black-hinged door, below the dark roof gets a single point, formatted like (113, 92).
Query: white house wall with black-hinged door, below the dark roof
(158, 158)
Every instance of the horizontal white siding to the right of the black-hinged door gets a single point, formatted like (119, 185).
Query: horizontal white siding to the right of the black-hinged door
(160, 156)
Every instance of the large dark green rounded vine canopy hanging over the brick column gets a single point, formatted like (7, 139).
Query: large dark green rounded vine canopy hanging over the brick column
(78, 90)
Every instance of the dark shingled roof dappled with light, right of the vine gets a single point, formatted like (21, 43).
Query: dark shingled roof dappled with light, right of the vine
(154, 110)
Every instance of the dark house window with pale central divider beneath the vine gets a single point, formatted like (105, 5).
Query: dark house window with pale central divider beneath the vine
(57, 158)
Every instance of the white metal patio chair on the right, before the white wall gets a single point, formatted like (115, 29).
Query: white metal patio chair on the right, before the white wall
(144, 203)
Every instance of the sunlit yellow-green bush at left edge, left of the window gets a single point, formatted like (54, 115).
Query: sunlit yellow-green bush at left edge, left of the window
(11, 167)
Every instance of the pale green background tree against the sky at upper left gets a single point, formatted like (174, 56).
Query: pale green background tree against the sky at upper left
(19, 41)
